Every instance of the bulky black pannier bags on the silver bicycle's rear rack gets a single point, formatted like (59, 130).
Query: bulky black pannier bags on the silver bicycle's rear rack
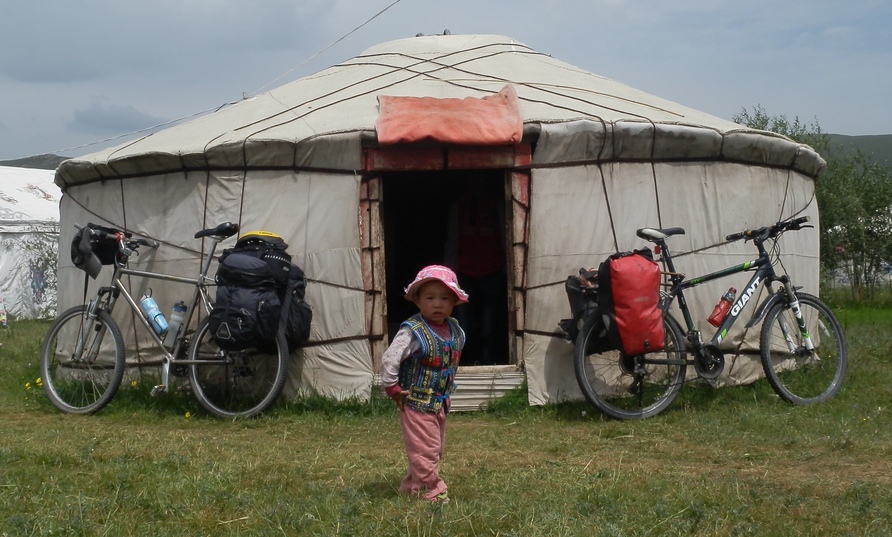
(256, 284)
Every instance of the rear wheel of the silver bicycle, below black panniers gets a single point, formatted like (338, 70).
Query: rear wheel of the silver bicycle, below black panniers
(236, 384)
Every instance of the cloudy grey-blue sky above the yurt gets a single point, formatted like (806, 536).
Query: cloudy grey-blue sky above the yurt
(76, 77)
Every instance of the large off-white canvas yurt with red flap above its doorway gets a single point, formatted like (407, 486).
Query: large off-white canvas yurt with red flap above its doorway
(591, 161)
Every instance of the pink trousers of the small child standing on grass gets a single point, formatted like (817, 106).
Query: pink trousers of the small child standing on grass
(424, 436)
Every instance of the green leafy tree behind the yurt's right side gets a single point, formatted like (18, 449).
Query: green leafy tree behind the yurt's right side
(855, 199)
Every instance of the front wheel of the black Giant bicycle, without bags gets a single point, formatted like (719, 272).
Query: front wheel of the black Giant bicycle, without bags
(799, 375)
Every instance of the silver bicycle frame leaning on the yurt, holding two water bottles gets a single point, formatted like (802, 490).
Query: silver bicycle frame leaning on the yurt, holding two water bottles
(199, 295)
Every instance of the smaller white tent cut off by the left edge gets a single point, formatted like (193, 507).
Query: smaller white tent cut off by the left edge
(29, 233)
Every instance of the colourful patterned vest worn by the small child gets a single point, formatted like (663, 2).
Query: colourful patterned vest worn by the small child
(429, 374)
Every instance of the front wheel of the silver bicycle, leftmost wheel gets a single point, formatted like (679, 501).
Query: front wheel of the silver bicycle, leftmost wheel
(80, 368)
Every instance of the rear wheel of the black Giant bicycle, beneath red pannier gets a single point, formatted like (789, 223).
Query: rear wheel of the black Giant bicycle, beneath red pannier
(629, 387)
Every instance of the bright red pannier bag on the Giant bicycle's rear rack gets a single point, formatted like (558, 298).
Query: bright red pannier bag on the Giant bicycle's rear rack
(629, 299)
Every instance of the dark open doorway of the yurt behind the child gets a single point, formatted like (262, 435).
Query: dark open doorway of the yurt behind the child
(424, 215)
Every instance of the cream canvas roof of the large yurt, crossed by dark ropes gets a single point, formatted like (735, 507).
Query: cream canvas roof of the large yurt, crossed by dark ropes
(270, 129)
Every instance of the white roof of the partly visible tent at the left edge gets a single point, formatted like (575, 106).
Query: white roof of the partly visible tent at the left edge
(29, 200)
